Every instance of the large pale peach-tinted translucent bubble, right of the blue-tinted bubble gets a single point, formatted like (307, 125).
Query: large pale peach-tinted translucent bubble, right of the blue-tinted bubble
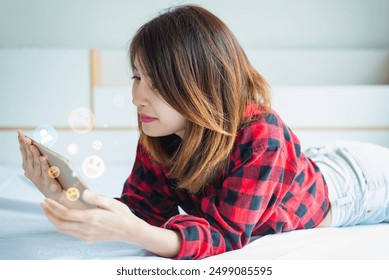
(81, 120)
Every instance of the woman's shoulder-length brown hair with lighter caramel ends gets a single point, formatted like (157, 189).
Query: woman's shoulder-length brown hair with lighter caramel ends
(198, 67)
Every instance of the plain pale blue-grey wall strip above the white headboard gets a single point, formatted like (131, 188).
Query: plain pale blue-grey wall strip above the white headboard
(271, 24)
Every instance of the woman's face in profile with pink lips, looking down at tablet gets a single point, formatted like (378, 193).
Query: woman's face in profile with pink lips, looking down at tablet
(158, 118)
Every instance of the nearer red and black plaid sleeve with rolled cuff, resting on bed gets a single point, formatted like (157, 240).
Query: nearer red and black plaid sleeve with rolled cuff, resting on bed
(242, 202)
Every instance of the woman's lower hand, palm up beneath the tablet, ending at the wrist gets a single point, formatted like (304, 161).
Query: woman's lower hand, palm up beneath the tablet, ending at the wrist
(111, 220)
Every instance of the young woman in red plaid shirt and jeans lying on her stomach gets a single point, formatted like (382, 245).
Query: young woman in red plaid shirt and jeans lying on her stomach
(211, 144)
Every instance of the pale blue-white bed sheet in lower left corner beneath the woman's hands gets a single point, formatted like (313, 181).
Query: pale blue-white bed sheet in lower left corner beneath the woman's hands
(26, 234)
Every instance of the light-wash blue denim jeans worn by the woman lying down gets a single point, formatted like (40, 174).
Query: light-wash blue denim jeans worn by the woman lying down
(357, 175)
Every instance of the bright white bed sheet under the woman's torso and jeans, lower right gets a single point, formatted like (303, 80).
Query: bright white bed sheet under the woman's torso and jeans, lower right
(351, 243)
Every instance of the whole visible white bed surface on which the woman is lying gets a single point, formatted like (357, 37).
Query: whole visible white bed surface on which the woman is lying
(25, 233)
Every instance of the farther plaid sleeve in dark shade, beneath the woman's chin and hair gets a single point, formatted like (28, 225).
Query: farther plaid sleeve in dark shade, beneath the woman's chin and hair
(145, 191)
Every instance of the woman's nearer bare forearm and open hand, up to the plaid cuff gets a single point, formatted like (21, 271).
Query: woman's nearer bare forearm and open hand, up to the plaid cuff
(112, 220)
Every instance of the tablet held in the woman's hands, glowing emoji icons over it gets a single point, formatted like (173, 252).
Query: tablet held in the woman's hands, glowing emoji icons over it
(63, 171)
